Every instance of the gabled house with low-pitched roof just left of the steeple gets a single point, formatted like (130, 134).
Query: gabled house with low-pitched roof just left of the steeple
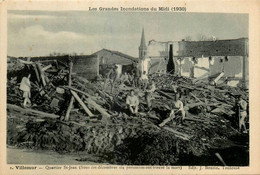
(108, 58)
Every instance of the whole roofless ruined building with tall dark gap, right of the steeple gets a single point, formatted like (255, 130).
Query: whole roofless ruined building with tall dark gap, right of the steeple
(203, 59)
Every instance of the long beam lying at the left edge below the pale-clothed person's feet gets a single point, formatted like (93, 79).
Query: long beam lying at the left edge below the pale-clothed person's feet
(31, 111)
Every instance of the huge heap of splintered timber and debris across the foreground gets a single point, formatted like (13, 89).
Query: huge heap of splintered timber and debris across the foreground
(70, 113)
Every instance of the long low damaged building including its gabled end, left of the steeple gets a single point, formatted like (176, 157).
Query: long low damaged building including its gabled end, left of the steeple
(90, 66)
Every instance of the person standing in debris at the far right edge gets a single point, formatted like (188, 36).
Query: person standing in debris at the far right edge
(242, 113)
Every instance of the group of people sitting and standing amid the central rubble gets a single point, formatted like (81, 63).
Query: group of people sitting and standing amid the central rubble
(140, 79)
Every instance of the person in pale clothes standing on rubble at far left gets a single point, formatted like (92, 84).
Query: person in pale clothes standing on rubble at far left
(25, 86)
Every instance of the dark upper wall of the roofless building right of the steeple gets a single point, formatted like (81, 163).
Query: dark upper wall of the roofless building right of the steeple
(236, 47)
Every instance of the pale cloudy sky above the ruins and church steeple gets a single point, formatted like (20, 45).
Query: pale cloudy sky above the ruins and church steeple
(40, 33)
